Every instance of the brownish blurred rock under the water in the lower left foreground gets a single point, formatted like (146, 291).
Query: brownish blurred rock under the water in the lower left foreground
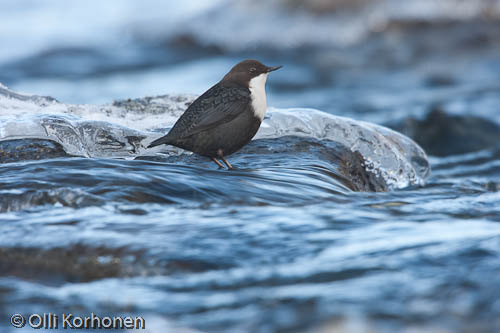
(83, 263)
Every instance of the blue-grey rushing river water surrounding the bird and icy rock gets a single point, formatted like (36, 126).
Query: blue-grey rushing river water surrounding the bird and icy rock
(281, 243)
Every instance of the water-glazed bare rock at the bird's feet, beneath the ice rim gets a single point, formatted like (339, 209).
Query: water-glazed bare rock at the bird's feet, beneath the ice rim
(334, 159)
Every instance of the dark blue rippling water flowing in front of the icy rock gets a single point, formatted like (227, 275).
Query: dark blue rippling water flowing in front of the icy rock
(272, 246)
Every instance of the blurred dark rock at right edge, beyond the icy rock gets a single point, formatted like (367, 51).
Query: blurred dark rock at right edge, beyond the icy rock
(443, 134)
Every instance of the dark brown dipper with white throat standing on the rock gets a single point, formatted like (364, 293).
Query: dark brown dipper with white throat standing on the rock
(226, 117)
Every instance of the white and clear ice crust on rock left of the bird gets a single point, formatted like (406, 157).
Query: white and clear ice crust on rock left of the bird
(115, 130)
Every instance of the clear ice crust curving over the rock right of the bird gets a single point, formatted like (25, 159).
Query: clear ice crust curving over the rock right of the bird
(395, 157)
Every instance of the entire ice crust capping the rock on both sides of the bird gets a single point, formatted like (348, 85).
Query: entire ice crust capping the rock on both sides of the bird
(124, 128)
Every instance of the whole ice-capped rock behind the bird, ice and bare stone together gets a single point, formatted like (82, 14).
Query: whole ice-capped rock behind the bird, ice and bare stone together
(368, 156)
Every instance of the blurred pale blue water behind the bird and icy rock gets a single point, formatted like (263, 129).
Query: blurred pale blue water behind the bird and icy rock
(377, 60)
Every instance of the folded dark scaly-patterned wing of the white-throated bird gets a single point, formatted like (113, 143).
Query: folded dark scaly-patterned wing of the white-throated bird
(216, 106)
